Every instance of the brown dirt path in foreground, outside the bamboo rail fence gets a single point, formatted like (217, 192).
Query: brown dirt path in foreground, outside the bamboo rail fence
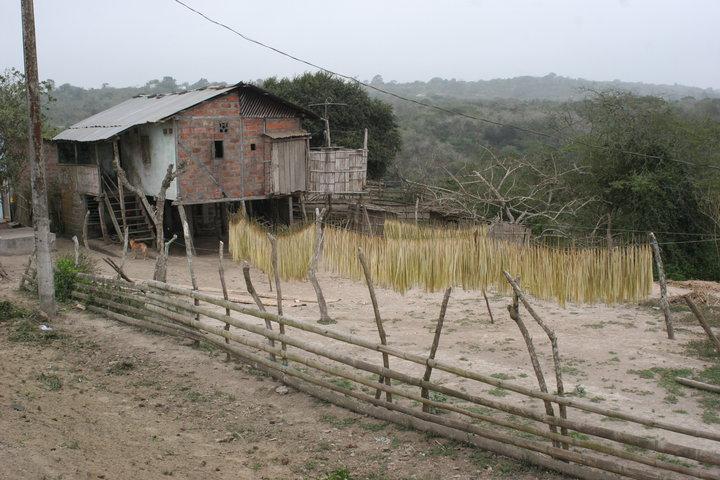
(109, 401)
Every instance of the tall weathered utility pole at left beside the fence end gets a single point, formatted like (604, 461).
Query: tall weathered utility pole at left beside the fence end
(41, 221)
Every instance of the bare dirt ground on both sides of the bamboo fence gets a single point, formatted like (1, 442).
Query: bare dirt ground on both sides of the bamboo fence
(109, 401)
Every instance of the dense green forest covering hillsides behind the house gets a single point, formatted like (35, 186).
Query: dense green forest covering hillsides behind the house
(578, 161)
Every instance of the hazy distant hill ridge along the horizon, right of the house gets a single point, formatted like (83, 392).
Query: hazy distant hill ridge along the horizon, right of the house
(550, 87)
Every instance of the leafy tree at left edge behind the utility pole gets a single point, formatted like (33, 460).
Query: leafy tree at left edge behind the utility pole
(14, 123)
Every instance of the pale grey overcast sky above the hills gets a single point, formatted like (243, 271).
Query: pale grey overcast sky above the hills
(90, 42)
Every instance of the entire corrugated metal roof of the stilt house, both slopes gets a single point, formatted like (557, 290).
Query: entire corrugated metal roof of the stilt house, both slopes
(154, 108)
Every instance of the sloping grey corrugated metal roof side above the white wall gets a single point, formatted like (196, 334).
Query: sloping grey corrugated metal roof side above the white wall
(136, 111)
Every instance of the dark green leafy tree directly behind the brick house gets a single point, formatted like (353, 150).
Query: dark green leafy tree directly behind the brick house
(347, 123)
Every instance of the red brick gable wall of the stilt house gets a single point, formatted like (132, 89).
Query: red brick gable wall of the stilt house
(198, 127)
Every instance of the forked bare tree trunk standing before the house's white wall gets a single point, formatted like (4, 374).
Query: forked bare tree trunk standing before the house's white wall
(156, 212)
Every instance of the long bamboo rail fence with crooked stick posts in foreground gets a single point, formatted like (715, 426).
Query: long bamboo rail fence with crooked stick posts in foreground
(313, 357)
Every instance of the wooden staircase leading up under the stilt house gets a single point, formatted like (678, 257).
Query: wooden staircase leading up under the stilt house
(140, 227)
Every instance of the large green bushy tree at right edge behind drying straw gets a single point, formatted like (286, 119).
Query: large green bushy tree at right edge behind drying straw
(653, 169)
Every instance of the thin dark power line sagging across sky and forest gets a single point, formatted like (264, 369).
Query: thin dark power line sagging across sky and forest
(421, 103)
